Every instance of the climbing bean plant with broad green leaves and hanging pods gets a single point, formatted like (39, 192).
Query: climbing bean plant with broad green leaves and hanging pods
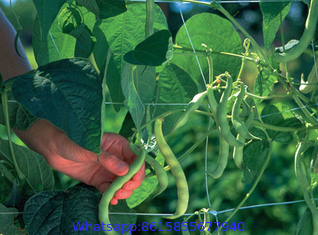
(90, 52)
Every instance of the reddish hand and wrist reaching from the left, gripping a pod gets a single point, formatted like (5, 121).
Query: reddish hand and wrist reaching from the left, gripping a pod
(99, 171)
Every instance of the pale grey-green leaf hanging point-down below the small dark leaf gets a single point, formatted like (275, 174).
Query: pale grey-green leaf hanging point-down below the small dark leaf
(138, 85)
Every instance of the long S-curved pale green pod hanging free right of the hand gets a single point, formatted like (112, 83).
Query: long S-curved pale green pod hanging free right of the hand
(176, 170)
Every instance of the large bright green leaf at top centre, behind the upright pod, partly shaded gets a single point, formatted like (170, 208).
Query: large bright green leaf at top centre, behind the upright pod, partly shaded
(122, 33)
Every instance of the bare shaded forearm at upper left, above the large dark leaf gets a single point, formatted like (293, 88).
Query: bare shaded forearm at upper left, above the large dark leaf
(11, 64)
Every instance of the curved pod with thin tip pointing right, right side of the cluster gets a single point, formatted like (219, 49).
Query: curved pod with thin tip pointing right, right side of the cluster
(239, 126)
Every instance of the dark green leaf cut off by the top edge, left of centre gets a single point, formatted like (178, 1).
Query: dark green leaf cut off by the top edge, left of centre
(104, 8)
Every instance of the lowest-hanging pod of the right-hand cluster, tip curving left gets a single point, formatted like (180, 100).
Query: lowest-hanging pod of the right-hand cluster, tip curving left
(223, 158)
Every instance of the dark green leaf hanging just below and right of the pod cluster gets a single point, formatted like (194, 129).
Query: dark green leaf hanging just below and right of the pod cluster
(254, 157)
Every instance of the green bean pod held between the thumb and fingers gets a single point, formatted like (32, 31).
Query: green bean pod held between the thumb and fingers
(115, 186)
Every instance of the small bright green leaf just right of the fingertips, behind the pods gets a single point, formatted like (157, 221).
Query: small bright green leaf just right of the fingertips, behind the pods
(142, 193)
